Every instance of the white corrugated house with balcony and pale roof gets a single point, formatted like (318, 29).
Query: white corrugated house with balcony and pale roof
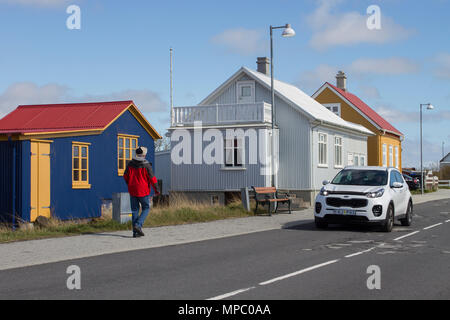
(310, 142)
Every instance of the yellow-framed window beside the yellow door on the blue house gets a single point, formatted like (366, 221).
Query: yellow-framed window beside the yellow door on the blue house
(80, 165)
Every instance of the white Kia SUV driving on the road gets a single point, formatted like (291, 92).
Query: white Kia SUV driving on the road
(372, 195)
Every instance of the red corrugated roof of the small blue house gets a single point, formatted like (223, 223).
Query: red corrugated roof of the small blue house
(62, 117)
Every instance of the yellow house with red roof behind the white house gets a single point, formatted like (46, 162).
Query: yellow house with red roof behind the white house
(385, 148)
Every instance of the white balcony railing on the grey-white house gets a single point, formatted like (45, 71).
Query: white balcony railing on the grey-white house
(223, 114)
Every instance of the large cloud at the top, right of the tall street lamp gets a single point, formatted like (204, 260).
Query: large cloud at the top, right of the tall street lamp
(332, 28)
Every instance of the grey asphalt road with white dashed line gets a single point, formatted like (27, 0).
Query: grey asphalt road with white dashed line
(300, 262)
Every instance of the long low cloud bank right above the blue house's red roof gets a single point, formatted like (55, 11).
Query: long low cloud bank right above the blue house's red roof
(29, 93)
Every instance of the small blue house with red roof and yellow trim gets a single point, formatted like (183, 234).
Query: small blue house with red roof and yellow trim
(64, 160)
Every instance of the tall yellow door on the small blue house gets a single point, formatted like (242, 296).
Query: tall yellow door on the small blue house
(40, 179)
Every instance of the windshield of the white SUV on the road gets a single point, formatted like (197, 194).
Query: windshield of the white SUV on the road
(353, 177)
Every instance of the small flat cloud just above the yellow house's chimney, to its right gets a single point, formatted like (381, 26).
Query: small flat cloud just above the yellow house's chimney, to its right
(388, 66)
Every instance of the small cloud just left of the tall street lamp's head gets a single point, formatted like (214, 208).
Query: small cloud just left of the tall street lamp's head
(242, 41)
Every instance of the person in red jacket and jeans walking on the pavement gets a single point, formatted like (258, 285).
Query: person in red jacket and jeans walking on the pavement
(139, 178)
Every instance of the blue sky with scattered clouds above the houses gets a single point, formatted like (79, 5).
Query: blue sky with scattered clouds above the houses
(122, 52)
